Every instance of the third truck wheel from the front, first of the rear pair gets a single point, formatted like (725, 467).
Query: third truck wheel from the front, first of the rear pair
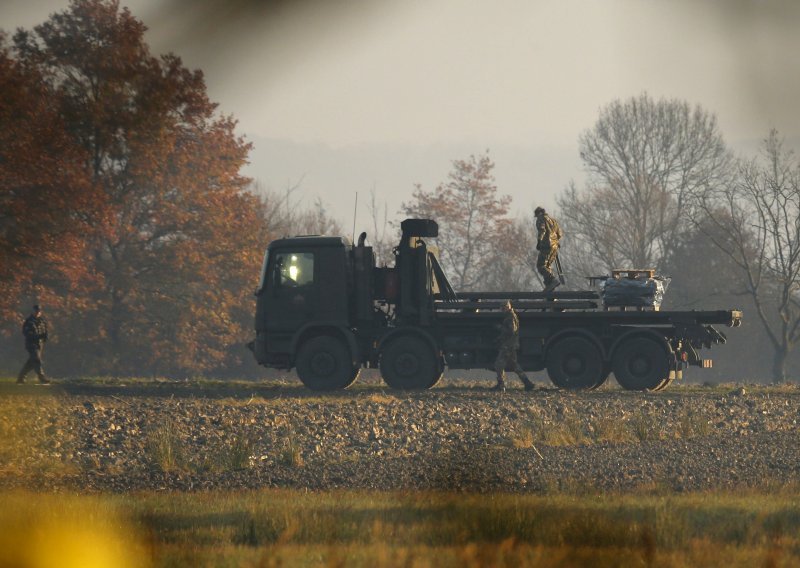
(575, 363)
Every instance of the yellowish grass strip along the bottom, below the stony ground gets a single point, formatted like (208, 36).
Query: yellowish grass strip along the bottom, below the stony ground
(297, 528)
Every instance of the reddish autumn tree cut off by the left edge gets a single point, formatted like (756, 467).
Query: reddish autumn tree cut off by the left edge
(48, 204)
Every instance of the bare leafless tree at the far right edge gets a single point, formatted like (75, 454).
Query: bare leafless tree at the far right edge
(756, 222)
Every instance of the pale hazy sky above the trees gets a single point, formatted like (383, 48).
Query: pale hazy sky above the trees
(351, 95)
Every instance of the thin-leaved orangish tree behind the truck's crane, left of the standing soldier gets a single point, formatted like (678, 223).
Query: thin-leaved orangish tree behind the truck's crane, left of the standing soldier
(474, 230)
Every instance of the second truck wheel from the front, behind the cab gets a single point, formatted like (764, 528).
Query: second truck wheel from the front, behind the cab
(409, 363)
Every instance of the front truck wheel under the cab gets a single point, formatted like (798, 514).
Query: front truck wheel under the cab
(323, 363)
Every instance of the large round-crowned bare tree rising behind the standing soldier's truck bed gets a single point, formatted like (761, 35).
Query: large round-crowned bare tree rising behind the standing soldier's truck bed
(645, 160)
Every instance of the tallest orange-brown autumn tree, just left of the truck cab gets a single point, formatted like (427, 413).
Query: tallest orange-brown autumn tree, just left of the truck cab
(181, 237)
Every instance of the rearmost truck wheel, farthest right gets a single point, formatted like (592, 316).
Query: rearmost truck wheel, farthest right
(641, 364)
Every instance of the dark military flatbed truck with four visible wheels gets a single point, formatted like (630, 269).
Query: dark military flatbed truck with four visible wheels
(324, 308)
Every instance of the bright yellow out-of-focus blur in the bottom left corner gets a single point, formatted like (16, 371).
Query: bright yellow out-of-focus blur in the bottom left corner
(59, 531)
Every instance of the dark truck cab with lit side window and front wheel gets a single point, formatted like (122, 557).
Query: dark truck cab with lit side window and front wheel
(305, 310)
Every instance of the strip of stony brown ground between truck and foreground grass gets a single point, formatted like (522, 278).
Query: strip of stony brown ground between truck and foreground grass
(162, 435)
